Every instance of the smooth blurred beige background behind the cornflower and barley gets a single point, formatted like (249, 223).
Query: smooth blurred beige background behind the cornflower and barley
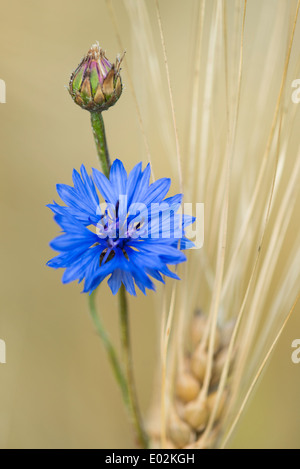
(56, 389)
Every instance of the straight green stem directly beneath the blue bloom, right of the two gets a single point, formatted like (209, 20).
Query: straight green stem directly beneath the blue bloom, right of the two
(133, 402)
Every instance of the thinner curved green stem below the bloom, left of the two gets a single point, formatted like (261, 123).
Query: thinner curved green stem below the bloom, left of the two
(112, 356)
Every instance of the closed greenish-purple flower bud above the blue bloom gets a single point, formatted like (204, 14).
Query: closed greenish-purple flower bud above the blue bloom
(96, 84)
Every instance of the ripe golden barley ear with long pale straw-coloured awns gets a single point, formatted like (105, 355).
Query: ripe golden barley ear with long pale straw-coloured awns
(237, 150)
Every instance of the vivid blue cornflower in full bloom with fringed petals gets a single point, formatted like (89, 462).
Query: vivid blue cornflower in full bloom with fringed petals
(134, 235)
